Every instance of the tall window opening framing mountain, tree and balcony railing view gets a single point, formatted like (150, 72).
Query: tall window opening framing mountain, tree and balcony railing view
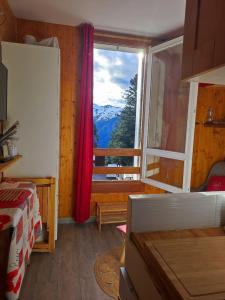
(117, 112)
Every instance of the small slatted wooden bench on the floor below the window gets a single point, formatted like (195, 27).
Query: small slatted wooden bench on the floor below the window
(111, 212)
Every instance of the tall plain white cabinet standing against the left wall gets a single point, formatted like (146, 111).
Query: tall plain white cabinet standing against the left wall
(33, 100)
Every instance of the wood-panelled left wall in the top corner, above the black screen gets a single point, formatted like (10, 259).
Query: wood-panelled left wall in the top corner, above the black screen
(8, 23)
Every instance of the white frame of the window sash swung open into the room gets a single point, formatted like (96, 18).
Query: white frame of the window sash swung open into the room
(186, 157)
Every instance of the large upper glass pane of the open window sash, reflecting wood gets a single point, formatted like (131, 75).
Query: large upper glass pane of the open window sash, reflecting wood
(169, 102)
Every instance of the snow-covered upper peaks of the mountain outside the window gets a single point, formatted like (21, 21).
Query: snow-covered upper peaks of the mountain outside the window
(106, 112)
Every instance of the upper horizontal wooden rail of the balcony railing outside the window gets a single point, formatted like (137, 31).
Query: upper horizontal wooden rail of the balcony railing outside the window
(117, 152)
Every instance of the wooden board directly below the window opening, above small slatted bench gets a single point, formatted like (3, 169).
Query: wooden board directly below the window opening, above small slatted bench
(123, 186)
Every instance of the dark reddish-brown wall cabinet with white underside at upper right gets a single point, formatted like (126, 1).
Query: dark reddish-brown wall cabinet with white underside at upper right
(204, 42)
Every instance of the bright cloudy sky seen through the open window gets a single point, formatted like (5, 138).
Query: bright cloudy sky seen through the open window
(112, 73)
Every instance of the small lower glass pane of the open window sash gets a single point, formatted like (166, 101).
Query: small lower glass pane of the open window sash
(165, 170)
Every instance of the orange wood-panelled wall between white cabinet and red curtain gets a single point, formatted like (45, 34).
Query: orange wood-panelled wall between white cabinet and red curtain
(69, 41)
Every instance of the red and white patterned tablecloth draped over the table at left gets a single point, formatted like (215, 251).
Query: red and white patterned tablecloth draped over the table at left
(19, 209)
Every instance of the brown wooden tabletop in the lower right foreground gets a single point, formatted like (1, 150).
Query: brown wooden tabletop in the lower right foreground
(186, 264)
